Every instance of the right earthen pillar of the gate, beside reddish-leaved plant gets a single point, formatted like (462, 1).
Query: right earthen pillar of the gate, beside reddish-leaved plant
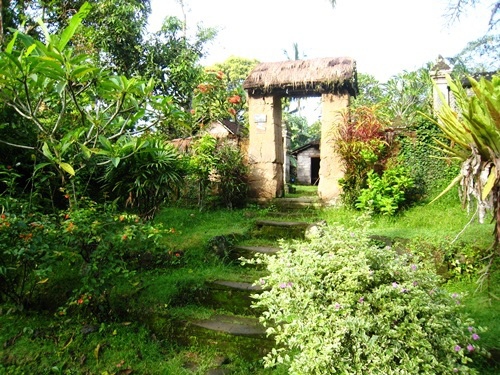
(334, 107)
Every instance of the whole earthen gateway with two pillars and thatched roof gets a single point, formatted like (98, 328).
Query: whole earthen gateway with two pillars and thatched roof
(332, 79)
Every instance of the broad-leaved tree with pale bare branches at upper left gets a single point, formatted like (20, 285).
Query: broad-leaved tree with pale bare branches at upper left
(66, 106)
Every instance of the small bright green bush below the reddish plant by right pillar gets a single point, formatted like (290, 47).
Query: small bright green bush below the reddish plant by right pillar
(385, 194)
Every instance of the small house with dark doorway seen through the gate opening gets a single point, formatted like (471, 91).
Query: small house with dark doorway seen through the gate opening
(308, 163)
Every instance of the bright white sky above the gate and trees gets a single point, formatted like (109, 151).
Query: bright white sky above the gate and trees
(385, 37)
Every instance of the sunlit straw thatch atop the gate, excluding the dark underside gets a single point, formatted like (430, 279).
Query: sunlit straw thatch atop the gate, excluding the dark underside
(302, 73)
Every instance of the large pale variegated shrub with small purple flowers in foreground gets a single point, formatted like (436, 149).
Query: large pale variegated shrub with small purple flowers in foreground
(341, 305)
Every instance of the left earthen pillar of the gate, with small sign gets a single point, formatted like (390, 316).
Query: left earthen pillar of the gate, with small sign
(265, 150)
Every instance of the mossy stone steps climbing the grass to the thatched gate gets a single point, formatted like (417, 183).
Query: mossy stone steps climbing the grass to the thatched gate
(237, 330)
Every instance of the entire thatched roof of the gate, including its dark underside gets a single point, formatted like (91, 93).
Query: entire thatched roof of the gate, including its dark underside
(303, 77)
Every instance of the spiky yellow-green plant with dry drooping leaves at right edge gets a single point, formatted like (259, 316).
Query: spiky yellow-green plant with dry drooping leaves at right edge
(474, 132)
